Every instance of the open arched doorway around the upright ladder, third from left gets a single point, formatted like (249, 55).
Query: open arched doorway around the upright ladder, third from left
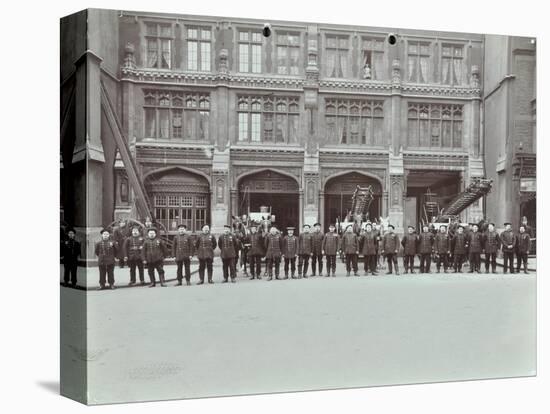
(338, 192)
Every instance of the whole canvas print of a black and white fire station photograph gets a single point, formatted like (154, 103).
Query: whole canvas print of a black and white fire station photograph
(251, 206)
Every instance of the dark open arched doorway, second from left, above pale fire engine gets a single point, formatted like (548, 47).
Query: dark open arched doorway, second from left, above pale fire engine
(271, 189)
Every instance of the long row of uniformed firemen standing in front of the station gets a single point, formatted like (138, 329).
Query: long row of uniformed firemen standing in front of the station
(449, 251)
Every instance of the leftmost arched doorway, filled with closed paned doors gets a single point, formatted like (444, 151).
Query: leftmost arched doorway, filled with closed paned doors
(179, 196)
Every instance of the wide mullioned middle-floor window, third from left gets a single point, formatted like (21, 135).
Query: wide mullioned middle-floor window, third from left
(355, 122)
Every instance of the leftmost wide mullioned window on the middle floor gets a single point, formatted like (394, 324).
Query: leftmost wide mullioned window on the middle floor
(176, 115)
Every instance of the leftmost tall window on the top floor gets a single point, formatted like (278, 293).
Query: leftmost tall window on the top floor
(159, 43)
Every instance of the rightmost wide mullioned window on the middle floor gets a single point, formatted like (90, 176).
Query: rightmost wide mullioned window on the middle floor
(434, 125)
